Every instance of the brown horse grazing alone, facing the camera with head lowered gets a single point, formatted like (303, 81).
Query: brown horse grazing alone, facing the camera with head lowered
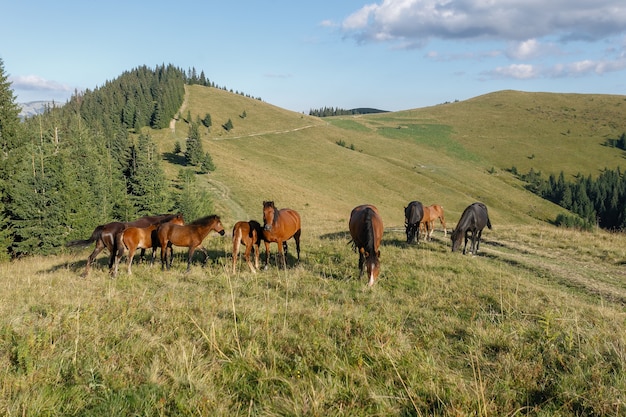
(366, 229)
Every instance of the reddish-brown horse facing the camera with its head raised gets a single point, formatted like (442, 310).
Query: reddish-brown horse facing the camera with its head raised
(280, 226)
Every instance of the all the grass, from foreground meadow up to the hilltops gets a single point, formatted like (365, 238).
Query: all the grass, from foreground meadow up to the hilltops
(533, 325)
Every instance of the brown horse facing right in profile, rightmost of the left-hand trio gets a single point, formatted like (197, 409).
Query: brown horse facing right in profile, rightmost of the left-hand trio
(189, 235)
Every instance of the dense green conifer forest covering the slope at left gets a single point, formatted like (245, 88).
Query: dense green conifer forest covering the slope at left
(90, 162)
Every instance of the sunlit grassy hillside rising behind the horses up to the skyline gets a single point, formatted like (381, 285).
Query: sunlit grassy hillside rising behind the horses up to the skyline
(451, 154)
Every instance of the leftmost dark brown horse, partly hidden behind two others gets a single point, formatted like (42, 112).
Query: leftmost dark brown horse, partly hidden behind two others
(106, 236)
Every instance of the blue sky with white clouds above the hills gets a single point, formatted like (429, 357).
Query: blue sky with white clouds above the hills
(387, 54)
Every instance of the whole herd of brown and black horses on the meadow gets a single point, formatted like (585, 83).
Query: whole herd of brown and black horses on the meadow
(279, 225)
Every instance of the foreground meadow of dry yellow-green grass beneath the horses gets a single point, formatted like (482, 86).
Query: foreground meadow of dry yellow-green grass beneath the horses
(509, 331)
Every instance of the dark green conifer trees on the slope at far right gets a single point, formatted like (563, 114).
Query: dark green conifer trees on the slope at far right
(594, 202)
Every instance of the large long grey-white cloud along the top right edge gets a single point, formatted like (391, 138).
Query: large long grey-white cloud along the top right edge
(511, 20)
